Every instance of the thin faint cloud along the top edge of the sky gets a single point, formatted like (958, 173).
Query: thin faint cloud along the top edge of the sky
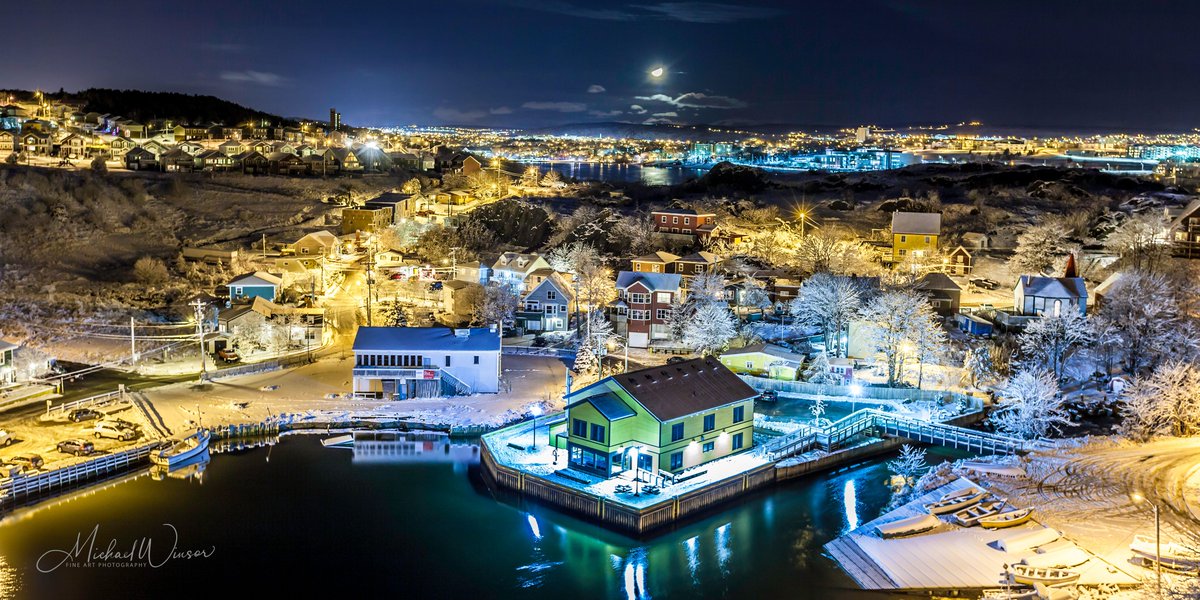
(686, 13)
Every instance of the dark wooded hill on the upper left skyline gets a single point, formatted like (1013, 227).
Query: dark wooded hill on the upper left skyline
(146, 106)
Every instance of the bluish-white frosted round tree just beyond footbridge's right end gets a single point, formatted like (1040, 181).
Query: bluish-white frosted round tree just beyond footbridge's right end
(1030, 406)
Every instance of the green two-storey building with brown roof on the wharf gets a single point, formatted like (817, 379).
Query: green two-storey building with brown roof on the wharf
(668, 419)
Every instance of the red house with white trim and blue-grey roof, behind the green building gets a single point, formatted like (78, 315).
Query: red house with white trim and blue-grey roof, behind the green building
(644, 307)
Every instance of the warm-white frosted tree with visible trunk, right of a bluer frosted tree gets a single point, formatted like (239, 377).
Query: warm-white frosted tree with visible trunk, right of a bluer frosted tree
(893, 323)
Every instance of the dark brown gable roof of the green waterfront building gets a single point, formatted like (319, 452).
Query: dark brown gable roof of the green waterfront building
(671, 392)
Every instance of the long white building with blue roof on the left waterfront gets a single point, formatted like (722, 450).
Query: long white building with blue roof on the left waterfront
(411, 363)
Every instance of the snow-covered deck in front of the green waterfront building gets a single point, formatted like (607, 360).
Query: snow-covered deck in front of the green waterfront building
(515, 448)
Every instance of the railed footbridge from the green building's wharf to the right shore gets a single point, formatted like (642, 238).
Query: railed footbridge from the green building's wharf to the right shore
(881, 424)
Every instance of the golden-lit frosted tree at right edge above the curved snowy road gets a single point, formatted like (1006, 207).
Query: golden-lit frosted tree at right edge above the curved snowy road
(1165, 404)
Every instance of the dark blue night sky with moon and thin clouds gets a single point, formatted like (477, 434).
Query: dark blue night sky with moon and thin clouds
(1087, 64)
